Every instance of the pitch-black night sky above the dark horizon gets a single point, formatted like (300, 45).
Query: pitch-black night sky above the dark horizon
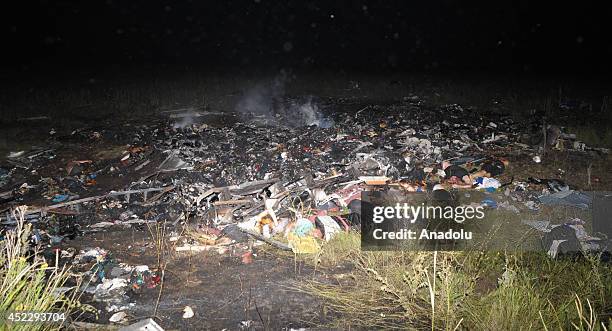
(519, 36)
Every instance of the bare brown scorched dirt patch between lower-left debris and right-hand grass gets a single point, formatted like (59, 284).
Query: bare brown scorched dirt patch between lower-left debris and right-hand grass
(224, 292)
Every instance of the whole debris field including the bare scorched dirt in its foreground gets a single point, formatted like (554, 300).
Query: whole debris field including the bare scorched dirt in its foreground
(190, 200)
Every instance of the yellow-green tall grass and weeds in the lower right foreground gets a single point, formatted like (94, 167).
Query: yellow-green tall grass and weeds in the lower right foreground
(463, 290)
